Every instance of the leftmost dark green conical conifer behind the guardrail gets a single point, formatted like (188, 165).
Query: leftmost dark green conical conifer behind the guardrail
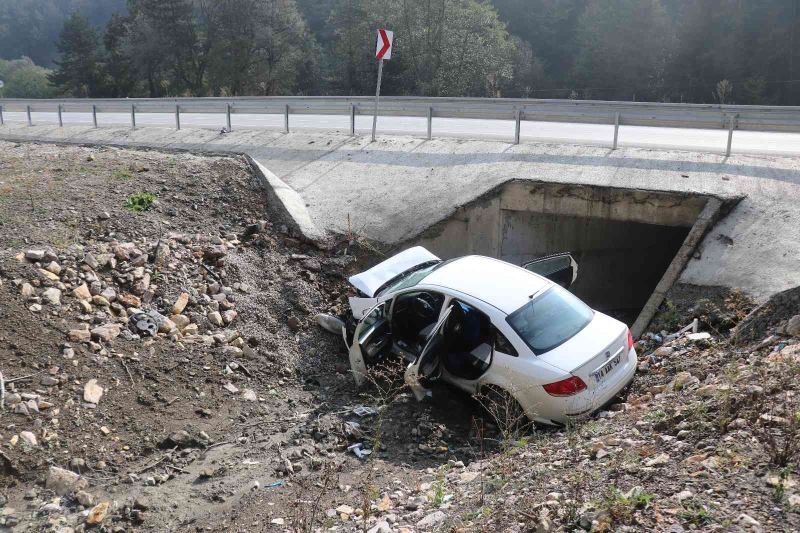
(78, 70)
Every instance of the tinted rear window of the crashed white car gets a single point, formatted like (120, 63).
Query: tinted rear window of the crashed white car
(550, 320)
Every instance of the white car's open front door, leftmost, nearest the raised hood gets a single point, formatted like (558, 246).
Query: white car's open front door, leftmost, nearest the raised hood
(371, 340)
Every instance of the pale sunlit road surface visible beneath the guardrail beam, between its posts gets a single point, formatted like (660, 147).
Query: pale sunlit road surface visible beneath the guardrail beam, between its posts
(633, 136)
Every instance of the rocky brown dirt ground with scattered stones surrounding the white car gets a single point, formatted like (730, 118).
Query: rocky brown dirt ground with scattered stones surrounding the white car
(163, 372)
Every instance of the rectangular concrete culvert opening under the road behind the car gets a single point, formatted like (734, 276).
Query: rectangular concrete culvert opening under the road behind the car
(624, 240)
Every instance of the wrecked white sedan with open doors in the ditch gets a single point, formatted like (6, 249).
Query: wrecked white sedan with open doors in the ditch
(481, 323)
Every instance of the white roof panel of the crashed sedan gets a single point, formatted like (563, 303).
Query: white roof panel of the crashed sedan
(500, 284)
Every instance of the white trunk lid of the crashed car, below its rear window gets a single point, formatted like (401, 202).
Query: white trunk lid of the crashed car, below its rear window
(573, 357)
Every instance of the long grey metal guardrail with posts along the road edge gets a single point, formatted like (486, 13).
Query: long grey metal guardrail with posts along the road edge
(698, 116)
